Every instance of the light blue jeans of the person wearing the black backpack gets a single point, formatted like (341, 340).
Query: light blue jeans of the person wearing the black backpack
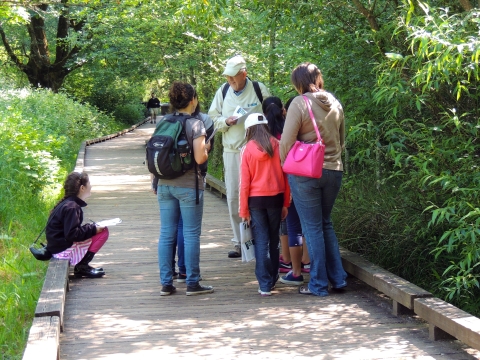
(175, 201)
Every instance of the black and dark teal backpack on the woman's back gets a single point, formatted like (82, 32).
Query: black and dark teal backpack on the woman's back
(168, 141)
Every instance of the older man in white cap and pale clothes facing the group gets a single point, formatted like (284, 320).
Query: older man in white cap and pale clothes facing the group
(239, 90)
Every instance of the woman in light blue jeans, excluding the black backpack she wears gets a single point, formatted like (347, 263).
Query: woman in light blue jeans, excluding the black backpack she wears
(177, 197)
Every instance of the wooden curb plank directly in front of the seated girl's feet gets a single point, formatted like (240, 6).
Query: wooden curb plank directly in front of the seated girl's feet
(52, 298)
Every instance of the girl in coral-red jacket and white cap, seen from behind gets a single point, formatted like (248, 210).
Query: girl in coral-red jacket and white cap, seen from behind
(264, 197)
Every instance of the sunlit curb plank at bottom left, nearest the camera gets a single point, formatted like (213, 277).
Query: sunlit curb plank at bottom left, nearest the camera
(43, 339)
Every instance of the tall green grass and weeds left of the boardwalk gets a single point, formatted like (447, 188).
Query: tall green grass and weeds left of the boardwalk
(40, 134)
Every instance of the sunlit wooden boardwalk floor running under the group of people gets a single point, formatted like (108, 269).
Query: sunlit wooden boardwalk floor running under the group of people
(122, 315)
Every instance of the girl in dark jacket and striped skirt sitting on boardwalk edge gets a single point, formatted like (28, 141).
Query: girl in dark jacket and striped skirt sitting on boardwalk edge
(66, 237)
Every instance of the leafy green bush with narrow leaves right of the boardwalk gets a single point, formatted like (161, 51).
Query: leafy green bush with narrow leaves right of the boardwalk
(426, 147)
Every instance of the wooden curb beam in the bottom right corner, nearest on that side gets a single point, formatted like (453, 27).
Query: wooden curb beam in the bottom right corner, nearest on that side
(458, 323)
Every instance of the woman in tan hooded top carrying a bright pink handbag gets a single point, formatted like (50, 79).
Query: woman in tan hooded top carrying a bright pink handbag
(310, 150)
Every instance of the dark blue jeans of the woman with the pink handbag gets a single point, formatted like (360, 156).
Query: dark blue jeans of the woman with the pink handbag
(314, 199)
